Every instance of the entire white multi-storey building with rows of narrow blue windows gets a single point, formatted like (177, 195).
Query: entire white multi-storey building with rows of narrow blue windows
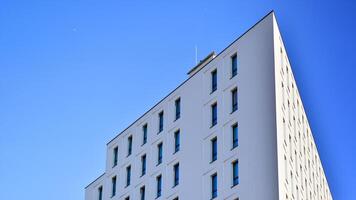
(235, 129)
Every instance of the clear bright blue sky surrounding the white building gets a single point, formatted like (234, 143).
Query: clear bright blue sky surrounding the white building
(73, 74)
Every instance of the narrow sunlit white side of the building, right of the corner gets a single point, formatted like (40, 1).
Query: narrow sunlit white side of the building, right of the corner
(301, 174)
